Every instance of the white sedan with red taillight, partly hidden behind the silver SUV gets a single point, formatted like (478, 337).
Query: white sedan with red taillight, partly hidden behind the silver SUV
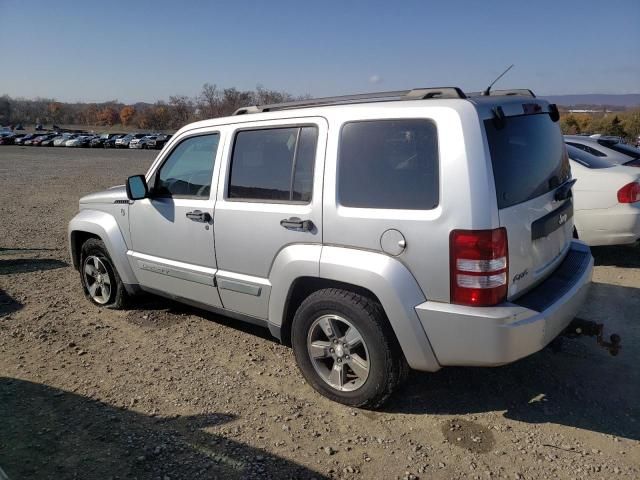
(607, 200)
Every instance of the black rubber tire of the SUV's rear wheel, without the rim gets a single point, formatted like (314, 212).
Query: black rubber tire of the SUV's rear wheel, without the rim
(387, 366)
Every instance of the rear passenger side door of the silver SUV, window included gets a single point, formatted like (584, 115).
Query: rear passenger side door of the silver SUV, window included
(269, 197)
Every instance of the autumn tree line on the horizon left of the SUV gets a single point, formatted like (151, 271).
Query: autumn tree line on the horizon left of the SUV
(179, 110)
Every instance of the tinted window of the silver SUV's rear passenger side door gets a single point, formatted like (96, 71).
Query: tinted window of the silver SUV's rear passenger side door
(273, 164)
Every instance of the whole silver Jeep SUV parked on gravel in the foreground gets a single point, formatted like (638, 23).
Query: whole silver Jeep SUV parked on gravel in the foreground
(372, 233)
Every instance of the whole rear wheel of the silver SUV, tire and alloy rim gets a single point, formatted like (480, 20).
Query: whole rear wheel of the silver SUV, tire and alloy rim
(346, 349)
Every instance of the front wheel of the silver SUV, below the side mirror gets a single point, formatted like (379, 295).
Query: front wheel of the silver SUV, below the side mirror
(100, 280)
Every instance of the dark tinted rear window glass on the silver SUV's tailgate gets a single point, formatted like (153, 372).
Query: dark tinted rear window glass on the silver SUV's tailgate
(528, 157)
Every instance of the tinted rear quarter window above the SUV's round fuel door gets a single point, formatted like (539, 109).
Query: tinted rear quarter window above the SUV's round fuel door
(389, 164)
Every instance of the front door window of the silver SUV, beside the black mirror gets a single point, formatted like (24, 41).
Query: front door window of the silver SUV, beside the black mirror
(188, 170)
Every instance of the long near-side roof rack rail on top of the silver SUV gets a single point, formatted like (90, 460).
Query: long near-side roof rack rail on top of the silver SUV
(415, 94)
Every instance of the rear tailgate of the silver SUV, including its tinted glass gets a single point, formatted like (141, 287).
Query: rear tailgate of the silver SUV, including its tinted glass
(530, 166)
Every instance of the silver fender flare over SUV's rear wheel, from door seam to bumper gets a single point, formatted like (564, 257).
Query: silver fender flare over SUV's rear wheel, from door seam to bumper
(396, 289)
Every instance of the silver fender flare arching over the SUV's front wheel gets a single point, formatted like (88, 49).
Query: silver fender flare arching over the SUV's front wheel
(104, 226)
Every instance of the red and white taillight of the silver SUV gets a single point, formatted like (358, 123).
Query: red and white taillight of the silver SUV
(479, 266)
